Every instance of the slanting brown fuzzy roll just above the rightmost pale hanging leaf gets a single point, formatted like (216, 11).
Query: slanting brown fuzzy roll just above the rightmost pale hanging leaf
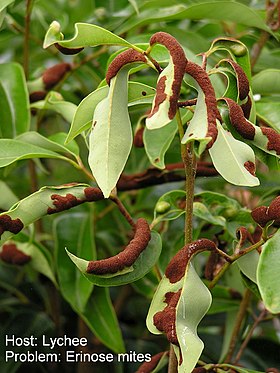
(238, 121)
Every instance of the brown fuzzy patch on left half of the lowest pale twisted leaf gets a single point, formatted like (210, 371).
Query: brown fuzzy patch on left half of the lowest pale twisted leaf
(165, 320)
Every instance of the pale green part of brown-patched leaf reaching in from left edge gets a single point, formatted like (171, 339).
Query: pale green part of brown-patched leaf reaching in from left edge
(35, 206)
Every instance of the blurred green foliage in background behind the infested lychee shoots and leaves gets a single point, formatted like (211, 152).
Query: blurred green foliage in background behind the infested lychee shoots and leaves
(37, 300)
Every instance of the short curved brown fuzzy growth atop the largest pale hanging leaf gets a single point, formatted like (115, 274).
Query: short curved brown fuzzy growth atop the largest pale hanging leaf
(121, 60)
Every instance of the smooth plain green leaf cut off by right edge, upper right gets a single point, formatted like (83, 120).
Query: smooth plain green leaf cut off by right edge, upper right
(266, 82)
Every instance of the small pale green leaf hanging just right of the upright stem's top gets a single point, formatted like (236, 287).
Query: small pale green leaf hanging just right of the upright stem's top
(198, 126)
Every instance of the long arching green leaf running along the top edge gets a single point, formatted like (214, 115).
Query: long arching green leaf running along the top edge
(217, 10)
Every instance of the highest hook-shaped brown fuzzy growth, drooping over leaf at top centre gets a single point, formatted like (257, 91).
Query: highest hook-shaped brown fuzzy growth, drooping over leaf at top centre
(179, 61)
